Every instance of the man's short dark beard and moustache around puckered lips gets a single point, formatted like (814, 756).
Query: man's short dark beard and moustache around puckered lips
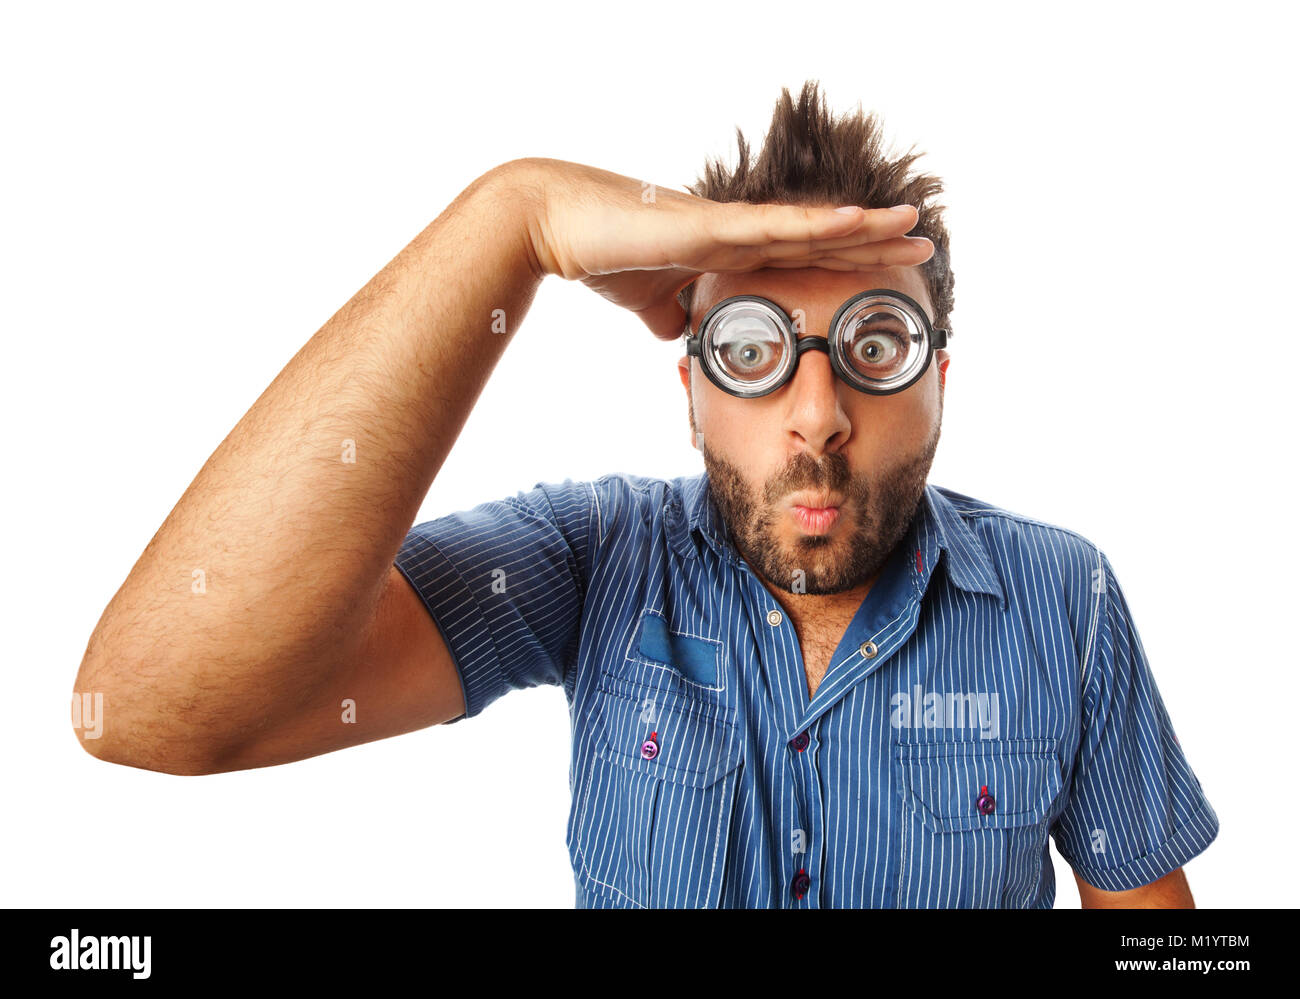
(883, 505)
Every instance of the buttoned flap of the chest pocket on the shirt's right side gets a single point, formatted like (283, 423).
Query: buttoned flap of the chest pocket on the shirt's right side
(943, 782)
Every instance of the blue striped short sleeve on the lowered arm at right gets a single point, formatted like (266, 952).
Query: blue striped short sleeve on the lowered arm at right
(1137, 811)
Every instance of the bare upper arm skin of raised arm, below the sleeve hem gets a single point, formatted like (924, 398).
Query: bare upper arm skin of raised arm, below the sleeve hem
(402, 678)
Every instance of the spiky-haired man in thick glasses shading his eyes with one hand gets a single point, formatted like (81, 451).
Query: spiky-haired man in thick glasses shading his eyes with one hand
(803, 680)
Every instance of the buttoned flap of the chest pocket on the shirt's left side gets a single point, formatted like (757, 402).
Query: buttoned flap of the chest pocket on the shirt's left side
(697, 745)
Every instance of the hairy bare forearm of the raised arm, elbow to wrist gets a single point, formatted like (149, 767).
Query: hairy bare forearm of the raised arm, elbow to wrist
(262, 578)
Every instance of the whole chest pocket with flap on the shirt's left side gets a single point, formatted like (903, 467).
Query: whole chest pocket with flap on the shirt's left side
(649, 828)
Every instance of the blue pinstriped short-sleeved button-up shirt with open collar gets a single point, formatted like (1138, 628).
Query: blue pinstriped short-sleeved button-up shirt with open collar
(991, 691)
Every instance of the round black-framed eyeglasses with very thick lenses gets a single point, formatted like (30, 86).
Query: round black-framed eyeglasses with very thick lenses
(881, 343)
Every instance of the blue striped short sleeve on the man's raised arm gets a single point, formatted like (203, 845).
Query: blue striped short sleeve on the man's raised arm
(505, 585)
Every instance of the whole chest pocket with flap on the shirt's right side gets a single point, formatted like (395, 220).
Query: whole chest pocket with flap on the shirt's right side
(951, 853)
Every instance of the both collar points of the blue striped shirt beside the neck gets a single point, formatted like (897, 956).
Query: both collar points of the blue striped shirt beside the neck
(938, 529)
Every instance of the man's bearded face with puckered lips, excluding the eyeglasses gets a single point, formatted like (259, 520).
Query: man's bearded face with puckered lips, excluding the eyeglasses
(816, 435)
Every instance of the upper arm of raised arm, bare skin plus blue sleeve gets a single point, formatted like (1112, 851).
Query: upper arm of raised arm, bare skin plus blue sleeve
(476, 604)
